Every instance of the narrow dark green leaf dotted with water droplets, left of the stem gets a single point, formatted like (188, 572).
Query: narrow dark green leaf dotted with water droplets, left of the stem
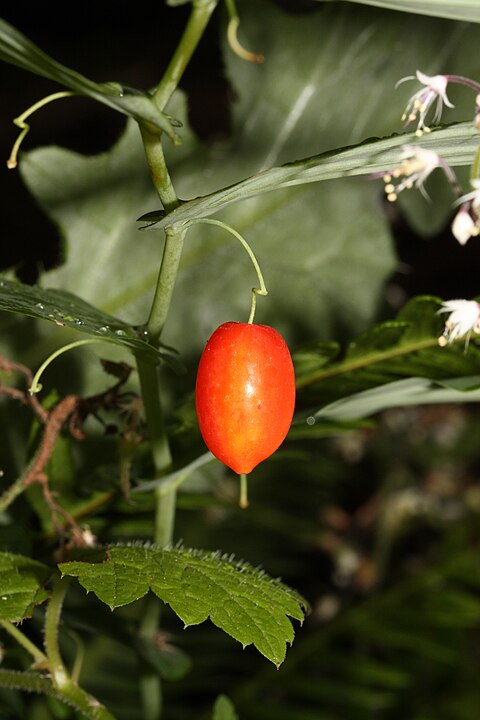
(67, 310)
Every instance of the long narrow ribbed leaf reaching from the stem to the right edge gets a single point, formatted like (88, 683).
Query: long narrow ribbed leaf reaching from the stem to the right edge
(456, 145)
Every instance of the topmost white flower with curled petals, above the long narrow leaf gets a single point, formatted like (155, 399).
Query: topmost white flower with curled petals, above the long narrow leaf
(418, 106)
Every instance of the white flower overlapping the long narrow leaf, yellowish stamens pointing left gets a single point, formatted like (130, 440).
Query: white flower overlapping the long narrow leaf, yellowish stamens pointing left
(415, 167)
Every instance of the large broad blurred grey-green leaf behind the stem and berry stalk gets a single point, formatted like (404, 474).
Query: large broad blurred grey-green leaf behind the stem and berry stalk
(301, 101)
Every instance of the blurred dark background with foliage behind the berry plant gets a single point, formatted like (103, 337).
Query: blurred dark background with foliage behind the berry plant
(375, 523)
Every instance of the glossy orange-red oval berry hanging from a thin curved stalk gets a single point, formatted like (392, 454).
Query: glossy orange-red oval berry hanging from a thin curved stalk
(245, 394)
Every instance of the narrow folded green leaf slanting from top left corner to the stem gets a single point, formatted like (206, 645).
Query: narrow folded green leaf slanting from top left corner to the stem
(18, 50)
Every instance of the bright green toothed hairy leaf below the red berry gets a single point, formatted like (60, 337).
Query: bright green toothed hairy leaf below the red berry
(241, 600)
